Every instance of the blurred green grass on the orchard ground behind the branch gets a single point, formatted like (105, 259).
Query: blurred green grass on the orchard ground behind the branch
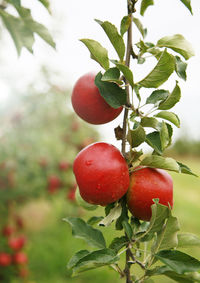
(51, 244)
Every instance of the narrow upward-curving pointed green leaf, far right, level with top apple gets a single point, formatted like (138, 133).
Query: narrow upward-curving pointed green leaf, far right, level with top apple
(172, 99)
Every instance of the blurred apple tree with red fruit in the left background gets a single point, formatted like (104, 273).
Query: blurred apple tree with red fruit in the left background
(39, 138)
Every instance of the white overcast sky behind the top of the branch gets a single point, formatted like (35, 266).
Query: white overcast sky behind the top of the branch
(73, 20)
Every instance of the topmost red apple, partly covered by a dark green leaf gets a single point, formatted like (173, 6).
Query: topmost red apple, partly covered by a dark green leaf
(89, 104)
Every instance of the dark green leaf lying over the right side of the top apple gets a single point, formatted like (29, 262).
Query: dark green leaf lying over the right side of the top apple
(111, 92)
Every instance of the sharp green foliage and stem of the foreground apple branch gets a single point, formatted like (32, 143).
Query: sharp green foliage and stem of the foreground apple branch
(148, 119)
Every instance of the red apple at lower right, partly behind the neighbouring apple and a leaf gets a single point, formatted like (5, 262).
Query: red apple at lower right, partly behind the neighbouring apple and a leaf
(147, 184)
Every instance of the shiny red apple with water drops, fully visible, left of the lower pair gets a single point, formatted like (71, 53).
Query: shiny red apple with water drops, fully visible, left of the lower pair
(101, 173)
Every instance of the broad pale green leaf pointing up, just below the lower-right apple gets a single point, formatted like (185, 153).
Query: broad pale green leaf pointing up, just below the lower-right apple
(167, 237)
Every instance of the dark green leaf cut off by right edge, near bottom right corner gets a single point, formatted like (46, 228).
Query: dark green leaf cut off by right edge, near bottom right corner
(178, 261)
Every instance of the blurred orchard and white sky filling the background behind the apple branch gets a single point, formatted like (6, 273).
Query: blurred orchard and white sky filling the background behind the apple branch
(40, 135)
